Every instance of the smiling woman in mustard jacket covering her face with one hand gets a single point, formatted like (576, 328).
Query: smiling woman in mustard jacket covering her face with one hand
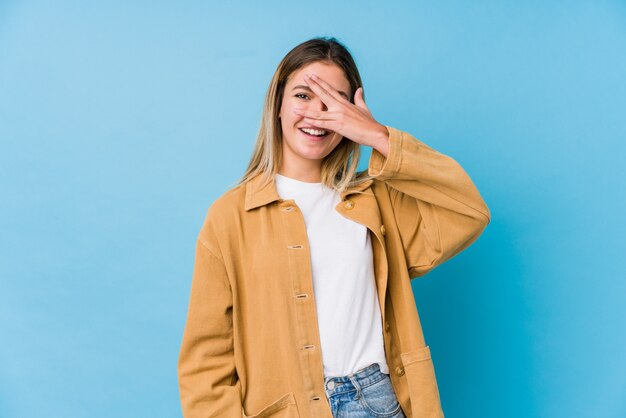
(301, 303)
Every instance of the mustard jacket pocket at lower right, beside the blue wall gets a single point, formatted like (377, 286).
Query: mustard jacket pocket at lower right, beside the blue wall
(420, 376)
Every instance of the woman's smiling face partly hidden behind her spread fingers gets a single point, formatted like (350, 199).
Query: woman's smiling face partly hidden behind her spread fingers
(297, 145)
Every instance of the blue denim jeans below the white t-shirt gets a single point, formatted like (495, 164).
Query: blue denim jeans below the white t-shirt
(364, 393)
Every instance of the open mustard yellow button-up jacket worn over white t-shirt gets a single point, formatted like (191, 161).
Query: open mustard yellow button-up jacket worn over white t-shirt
(251, 344)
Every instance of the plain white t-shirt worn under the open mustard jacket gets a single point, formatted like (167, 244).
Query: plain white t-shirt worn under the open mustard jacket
(348, 311)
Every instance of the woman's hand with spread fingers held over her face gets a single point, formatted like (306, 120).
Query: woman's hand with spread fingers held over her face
(352, 121)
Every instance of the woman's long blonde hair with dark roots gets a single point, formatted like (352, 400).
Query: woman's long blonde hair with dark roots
(339, 168)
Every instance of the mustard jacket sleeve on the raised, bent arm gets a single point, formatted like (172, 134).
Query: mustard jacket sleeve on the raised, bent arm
(438, 210)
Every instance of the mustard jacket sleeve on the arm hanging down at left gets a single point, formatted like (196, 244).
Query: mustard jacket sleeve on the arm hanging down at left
(207, 379)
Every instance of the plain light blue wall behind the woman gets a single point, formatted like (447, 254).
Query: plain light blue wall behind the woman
(120, 124)
